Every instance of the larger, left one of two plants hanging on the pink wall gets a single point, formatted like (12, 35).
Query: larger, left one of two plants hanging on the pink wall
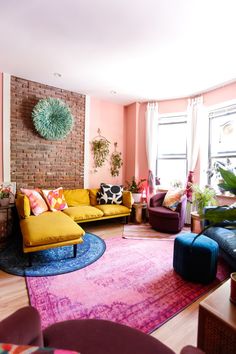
(100, 150)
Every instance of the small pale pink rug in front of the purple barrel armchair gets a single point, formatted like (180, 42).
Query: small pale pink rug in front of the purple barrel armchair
(146, 232)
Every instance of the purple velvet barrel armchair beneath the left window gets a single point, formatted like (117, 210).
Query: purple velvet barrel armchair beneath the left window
(164, 219)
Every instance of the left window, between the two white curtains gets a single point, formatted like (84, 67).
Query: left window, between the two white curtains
(172, 150)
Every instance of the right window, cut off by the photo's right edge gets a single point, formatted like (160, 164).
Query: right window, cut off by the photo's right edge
(222, 140)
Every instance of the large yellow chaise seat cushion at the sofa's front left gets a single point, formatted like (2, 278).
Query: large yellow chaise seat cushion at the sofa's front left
(49, 228)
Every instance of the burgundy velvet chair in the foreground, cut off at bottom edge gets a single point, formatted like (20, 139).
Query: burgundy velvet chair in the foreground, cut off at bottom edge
(88, 336)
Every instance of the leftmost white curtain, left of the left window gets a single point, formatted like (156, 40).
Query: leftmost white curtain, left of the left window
(151, 116)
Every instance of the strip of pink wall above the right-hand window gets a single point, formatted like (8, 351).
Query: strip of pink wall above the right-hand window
(221, 94)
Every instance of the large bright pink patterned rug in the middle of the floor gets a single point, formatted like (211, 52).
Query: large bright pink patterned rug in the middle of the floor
(132, 283)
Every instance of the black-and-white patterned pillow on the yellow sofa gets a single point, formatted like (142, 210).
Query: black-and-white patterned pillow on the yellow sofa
(110, 194)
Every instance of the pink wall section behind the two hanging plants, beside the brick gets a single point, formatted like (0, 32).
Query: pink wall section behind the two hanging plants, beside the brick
(109, 117)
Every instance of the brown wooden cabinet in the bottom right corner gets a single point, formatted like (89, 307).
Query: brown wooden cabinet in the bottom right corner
(217, 322)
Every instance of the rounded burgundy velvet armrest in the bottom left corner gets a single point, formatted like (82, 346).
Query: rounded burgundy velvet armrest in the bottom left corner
(22, 327)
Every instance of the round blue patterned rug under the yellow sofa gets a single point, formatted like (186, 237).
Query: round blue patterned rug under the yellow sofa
(54, 261)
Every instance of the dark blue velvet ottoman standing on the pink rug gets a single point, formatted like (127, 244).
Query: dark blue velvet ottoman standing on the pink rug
(196, 261)
